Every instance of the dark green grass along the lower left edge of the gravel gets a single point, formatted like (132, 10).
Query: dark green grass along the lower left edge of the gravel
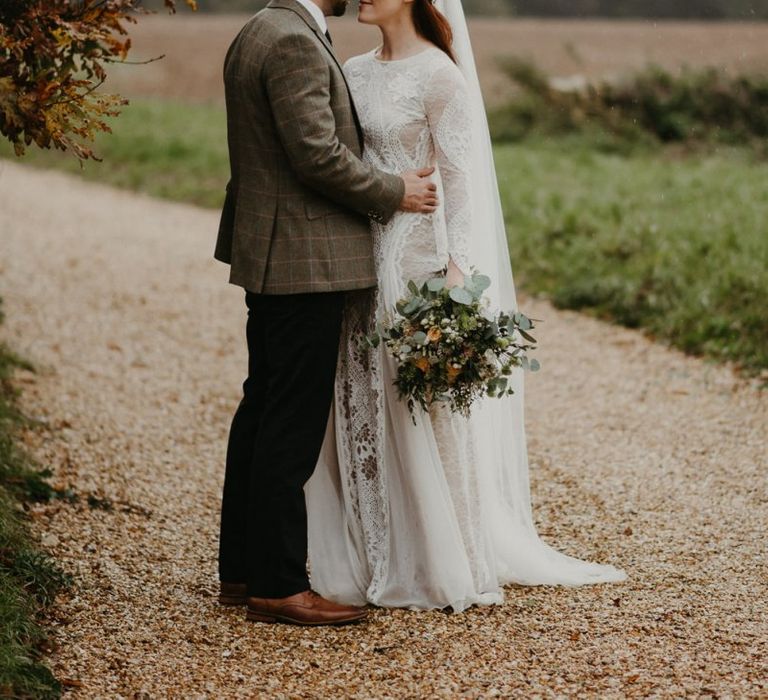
(29, 580)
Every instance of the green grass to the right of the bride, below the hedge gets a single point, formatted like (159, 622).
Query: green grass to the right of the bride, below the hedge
(675, 246)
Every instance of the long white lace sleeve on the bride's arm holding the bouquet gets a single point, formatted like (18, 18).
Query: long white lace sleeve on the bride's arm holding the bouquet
(446, 107)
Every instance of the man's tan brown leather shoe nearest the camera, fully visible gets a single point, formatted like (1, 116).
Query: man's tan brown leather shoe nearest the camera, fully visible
(305, 608)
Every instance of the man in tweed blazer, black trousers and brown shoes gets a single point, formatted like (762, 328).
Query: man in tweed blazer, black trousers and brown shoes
(295, 229)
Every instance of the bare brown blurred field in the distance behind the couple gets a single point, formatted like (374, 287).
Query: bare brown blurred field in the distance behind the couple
(194, 48)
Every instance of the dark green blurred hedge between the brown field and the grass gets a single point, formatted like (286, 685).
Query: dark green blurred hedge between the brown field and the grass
(652, 107)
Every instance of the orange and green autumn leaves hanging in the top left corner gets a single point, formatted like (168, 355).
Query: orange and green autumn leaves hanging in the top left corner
(52, 57)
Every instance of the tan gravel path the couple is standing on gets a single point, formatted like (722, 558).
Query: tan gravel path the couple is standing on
(640, 457)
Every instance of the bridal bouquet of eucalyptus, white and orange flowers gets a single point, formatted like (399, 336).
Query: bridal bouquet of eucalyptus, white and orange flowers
(449, 348)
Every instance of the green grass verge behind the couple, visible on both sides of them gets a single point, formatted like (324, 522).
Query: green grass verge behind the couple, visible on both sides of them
(674, 245)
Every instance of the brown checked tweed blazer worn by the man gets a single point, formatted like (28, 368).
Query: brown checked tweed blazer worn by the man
(296, 216)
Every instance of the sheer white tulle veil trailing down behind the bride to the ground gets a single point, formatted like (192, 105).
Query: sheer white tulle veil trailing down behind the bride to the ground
(498, 424)
